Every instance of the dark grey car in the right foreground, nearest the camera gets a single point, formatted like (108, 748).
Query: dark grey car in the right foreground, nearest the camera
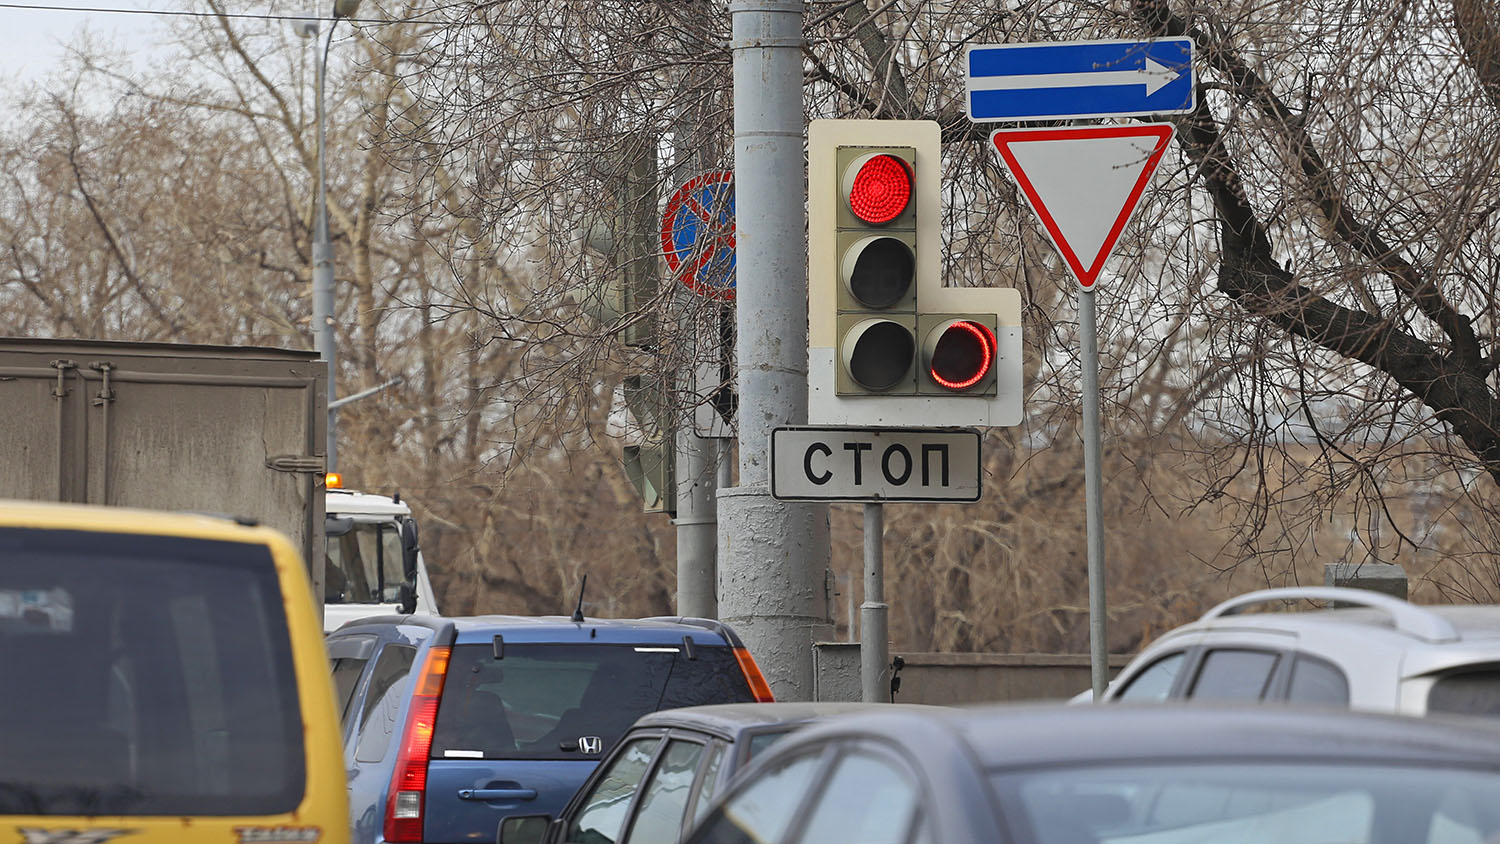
(1163, 774)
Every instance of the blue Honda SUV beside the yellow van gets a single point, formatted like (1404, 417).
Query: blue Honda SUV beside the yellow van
(452, 725)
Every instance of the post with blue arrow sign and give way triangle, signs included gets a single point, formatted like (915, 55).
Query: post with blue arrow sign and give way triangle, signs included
(1084, 184)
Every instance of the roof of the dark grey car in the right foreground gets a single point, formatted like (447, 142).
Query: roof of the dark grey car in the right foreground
(1007, 735)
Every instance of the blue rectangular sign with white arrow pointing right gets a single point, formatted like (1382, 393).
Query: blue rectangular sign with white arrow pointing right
(1082, 79)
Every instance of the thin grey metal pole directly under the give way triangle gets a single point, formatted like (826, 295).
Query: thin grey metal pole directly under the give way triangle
(1099, 639)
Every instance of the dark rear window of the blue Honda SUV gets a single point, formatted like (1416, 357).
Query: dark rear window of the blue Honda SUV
(571, 701)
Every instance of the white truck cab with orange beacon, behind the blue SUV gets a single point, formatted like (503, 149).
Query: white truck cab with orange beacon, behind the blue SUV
(374, 560)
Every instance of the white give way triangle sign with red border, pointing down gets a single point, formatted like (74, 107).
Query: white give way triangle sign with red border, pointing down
(1084, 182)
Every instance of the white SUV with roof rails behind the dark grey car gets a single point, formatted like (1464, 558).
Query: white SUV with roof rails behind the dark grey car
(1384, 654)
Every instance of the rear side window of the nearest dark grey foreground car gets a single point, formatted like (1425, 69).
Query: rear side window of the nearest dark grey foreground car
(868, 800)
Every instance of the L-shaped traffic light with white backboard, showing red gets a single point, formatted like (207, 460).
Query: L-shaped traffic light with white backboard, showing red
(889, 346)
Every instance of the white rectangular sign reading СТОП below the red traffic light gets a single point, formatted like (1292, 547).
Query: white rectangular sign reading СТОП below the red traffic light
(875, 464)
